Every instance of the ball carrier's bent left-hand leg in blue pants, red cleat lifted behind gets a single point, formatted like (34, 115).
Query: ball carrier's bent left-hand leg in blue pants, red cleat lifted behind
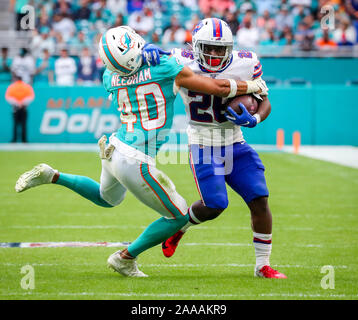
(208, 172)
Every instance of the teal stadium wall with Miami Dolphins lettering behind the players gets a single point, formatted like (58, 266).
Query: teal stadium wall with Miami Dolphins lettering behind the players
(324, 114)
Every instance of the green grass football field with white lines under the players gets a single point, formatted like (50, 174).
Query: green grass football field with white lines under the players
(315, 223)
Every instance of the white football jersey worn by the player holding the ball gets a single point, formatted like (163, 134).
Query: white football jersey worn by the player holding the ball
(207, 123)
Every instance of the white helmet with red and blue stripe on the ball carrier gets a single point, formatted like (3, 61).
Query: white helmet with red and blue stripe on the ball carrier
(208, 33)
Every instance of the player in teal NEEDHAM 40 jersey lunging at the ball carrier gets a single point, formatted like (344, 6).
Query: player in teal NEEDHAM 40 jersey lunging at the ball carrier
(144, 96)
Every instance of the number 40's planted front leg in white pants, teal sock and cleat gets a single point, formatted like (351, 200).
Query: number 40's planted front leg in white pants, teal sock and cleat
(157, 191)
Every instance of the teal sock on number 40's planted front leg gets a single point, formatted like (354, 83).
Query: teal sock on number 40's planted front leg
(156, 233)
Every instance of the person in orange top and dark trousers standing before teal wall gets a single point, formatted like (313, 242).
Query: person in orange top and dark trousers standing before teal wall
(19, 95)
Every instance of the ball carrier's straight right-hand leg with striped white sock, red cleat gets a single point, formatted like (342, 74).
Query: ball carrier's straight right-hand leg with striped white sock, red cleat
(248, 179)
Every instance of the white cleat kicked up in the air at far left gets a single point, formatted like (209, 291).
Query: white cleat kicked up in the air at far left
(41, 174)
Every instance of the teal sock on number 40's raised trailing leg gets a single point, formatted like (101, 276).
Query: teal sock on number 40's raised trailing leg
(84, 186)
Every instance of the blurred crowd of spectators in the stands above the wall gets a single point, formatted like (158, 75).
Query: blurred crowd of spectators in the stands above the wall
(63, 46)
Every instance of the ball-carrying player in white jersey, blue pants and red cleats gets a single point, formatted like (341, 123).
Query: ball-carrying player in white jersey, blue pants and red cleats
(219, 154)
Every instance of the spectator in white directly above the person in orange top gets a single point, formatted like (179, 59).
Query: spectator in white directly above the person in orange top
(23, 66)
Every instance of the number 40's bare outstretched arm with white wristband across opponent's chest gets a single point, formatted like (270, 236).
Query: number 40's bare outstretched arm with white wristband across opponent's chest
(218, 87)
